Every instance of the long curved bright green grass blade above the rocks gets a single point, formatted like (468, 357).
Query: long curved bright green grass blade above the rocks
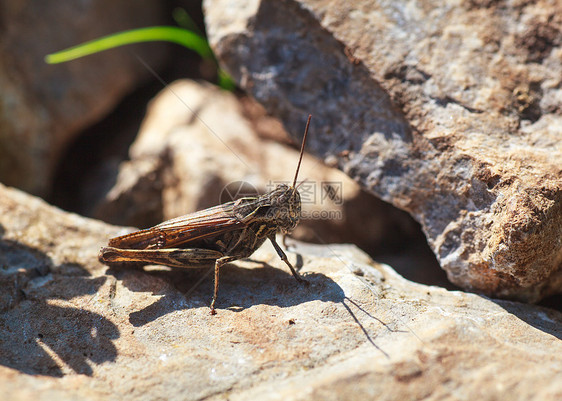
(172, 34)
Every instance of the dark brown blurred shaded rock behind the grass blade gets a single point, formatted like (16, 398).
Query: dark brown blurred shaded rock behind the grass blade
(43, 107)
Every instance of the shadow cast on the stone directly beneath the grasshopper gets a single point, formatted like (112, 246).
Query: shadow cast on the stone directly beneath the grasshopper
(240, 288)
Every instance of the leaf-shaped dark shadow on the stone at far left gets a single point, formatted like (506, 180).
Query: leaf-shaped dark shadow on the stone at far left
(42, 333)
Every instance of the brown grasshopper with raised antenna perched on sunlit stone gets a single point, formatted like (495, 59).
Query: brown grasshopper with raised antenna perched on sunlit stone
(220, 234)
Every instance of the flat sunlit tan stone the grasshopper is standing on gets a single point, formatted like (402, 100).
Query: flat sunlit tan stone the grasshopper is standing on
(71, 329)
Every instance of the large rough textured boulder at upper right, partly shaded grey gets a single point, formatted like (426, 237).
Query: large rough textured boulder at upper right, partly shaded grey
(452, 112)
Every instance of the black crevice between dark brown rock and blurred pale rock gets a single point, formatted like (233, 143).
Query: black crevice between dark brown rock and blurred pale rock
(89, 166)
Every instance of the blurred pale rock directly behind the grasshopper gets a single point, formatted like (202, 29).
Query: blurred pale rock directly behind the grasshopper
(181, 163)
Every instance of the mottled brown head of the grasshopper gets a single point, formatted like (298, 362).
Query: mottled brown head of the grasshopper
(286, 207)
